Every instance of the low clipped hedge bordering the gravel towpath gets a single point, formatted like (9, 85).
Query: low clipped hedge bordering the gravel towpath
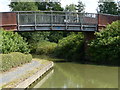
(14, 59)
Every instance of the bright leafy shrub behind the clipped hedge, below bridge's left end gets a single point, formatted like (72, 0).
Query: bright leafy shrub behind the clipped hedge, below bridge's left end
(13, 42)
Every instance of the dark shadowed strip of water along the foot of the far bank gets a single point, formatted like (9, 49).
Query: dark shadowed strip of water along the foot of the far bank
(79, 61)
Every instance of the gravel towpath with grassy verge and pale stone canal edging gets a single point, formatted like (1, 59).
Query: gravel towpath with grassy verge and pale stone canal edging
(22, 77)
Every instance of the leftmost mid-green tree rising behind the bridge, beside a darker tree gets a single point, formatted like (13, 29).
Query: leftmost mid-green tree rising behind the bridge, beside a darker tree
(23, 6)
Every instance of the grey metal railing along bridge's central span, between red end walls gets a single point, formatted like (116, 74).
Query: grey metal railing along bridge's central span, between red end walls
(56, 18)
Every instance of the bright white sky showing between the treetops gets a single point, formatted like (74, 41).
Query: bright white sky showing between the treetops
(90, 5)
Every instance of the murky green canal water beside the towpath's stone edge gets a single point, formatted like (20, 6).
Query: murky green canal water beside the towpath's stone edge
(74, 75)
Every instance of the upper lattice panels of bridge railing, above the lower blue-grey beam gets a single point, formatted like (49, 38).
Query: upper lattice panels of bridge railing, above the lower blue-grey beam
(26, 18)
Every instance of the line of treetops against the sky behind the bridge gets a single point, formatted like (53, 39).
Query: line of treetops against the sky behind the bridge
(103, 7)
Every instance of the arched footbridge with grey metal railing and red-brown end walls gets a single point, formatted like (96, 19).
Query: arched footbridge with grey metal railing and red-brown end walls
(54, 21)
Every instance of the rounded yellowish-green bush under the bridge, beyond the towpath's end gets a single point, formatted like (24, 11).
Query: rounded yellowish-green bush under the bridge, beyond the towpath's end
(44, 47)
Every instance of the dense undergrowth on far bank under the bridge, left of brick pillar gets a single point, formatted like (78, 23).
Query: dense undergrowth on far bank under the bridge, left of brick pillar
(71, 48)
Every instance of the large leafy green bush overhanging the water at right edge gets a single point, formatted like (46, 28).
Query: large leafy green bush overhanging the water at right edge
(106, 47)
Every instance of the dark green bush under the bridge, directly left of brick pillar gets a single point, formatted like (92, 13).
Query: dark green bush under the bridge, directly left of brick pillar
(71, 47)
